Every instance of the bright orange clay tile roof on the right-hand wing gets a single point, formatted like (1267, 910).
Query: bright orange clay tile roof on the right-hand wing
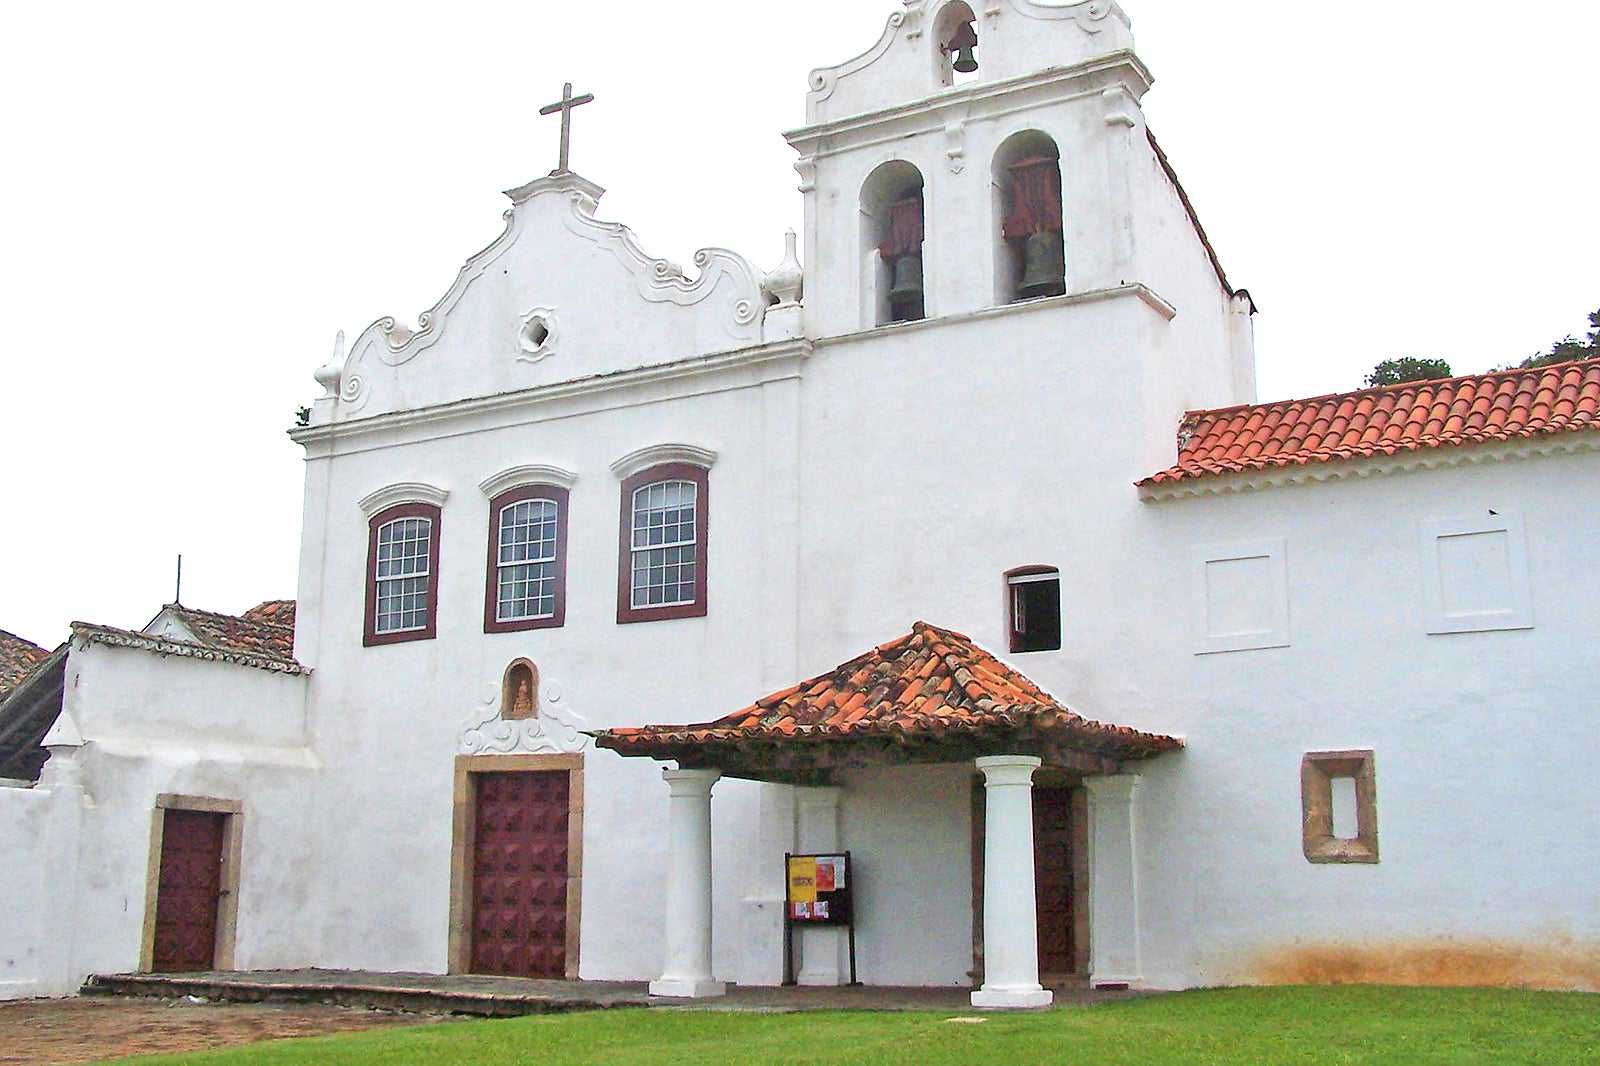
(1478, 409)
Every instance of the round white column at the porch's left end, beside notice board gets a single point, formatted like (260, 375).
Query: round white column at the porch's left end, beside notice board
(687, 972)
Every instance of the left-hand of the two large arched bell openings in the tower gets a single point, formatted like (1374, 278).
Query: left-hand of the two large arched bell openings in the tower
(892, 241)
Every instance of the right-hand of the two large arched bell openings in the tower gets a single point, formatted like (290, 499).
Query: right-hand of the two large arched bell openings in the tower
(1031, 255)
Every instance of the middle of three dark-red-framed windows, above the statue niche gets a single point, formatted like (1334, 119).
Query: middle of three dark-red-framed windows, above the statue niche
(527, 564)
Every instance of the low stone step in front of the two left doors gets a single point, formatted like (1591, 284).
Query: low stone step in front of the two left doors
(484, 998)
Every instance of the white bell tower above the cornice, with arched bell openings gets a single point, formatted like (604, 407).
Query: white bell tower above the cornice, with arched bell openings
(994, 153)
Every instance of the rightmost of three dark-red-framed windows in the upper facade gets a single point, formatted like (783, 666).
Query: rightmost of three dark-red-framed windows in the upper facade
(662, 569)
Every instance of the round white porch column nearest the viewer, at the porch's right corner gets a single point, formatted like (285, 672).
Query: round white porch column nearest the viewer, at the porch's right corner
(1010, 910)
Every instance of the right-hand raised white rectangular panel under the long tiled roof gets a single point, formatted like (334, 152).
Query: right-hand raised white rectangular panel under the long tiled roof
(1476, 575)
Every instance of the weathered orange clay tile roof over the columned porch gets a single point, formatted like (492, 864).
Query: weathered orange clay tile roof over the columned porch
(929, 684)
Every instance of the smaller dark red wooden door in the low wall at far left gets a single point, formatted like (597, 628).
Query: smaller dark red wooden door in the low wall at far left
(188, 891)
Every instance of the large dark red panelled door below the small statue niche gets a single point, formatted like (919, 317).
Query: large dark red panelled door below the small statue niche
(519, 875)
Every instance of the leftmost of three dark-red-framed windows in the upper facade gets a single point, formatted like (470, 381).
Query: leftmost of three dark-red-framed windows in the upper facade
(402, 575)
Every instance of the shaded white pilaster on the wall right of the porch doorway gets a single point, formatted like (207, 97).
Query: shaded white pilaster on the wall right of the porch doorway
(1114, 881)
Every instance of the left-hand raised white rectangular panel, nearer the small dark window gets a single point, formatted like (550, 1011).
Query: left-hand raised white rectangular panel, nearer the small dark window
(1241, 598)
